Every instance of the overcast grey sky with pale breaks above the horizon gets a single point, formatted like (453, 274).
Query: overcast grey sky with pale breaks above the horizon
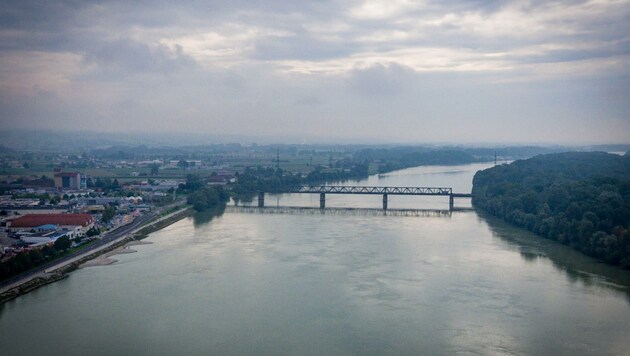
(370, 71)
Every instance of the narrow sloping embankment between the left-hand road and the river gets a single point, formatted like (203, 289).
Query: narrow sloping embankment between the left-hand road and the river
(61, 270)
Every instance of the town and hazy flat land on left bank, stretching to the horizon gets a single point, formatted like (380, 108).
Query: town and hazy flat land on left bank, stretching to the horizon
(55, 202)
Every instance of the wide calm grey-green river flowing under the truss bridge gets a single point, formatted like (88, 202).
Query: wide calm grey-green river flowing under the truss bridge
(341, 282)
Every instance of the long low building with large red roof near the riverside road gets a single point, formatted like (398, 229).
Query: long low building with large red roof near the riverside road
(78, 224)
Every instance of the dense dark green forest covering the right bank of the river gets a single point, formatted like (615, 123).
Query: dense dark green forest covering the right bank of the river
(581, 199)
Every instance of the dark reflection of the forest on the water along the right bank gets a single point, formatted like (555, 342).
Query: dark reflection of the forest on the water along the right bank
(577, 267)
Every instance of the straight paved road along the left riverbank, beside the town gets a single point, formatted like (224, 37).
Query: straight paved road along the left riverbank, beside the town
(107, 238)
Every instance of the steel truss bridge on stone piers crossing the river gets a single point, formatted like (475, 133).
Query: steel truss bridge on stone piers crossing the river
(322, 190)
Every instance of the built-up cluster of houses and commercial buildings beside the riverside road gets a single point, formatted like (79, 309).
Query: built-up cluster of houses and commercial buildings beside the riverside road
(72, 212)
